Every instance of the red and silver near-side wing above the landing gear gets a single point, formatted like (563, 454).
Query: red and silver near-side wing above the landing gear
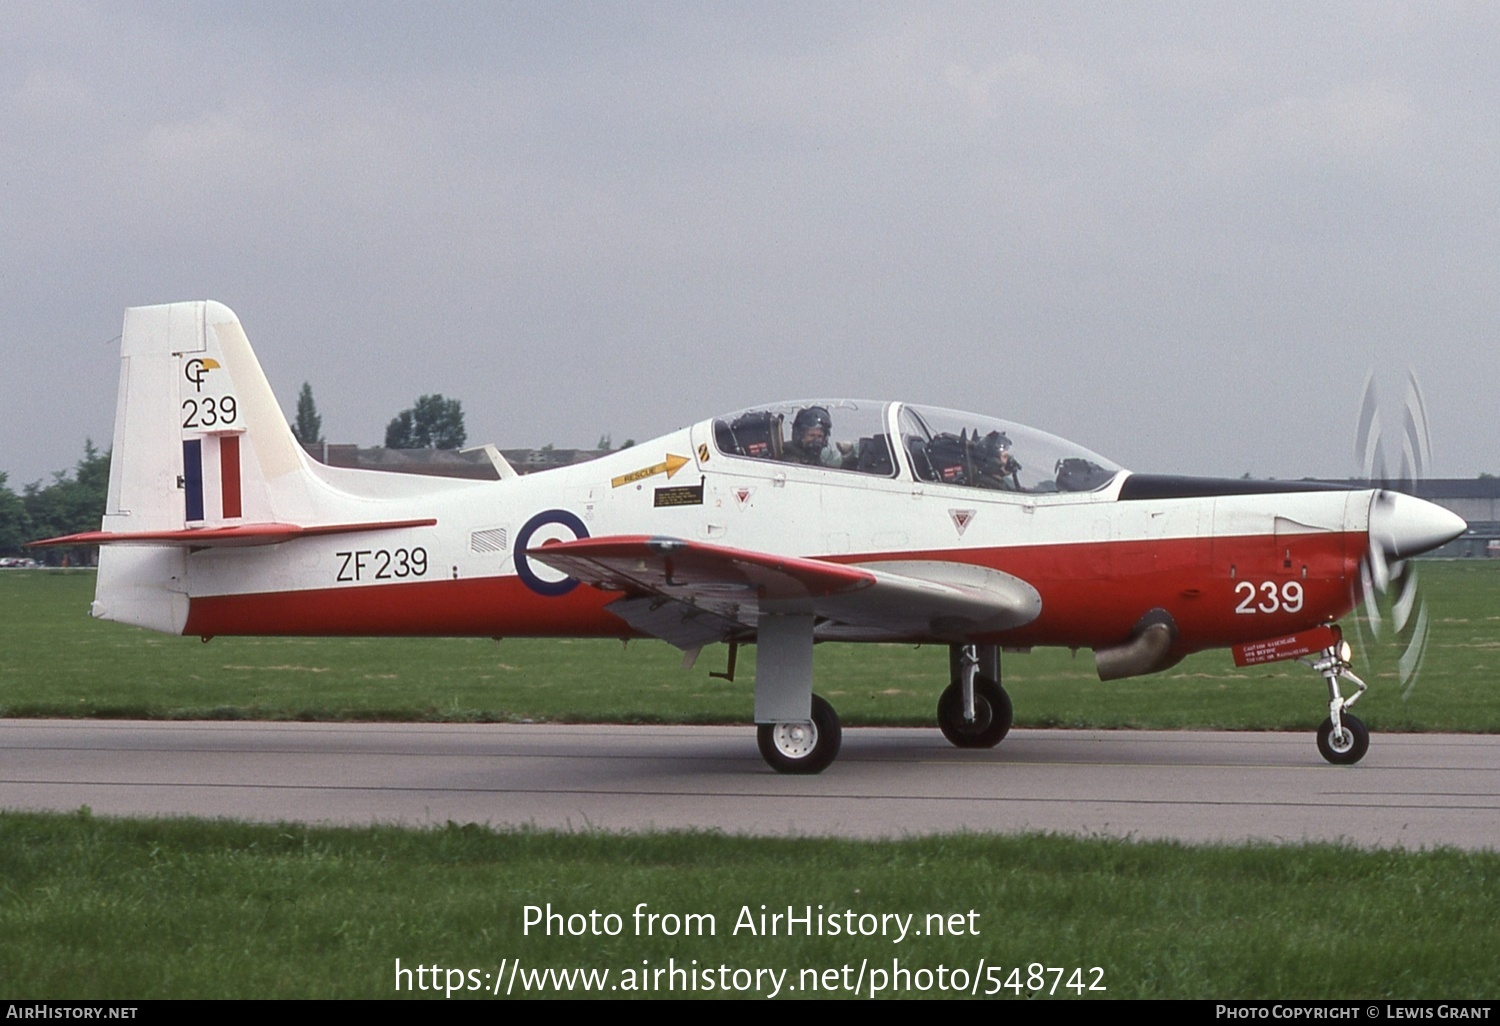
(691, 593)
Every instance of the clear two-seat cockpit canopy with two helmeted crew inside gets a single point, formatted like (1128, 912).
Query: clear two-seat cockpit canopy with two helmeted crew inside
(932, 445)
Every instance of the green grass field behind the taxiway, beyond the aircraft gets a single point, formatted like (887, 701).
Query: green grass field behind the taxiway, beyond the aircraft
(58, 662)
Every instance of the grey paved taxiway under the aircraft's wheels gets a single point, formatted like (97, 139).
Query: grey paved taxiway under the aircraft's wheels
(1411, 791)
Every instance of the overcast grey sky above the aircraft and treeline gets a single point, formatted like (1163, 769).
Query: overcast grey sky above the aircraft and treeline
(1180, 235)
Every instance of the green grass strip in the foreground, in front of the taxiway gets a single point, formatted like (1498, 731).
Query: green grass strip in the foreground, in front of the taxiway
(130, 910)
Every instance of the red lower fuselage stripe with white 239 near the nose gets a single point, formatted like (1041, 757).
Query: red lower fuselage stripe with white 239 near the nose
(1220, 592)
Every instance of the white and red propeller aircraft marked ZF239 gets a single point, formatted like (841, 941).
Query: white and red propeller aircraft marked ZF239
(784, 526)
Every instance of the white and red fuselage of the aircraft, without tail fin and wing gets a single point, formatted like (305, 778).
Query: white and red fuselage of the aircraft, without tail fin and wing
(1231, 562)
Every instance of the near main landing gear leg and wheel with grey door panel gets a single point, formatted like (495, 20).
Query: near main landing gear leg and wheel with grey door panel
(797, 731)
